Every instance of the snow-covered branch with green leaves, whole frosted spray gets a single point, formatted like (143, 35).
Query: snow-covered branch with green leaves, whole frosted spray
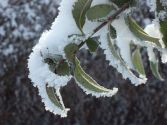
(90, 24)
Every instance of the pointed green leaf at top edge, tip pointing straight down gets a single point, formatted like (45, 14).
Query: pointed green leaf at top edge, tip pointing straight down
(79, 12)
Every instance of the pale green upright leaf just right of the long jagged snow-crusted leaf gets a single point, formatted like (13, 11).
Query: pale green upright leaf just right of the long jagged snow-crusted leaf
(137, 61)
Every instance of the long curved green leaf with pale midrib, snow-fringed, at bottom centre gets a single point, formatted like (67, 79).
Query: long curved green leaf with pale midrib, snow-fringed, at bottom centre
(87, 82)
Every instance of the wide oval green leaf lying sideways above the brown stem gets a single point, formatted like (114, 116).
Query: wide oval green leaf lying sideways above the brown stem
(99, 11)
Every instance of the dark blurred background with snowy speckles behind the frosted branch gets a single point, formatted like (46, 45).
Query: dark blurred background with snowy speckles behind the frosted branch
(21, 23)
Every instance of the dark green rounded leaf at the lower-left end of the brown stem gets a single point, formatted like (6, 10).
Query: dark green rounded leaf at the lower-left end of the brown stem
(70, 51)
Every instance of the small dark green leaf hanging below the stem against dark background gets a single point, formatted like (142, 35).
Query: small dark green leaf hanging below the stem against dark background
(92, 44)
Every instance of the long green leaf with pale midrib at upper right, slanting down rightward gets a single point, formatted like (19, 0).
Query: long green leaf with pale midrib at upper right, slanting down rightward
(139, 32)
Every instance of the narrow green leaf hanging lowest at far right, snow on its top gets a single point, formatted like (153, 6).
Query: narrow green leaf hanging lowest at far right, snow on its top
(155, 71)
